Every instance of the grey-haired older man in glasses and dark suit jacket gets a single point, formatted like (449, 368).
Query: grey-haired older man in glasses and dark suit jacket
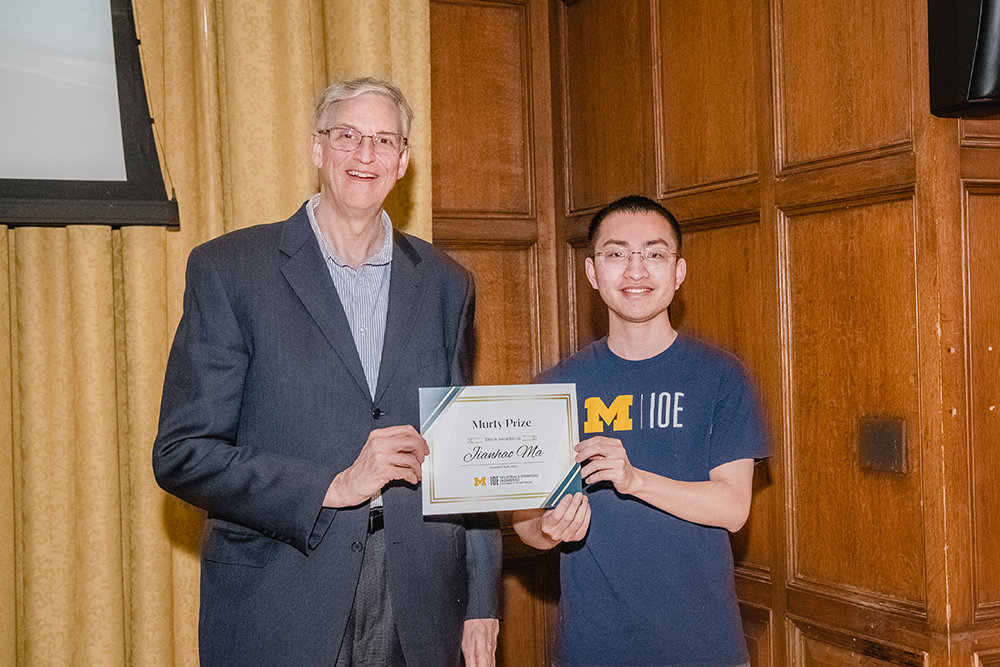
(288, 414)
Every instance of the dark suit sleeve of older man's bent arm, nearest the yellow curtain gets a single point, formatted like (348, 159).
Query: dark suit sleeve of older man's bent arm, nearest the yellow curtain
(195, 456)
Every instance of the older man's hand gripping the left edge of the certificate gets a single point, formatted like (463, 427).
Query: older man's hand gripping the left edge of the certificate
(389, 453)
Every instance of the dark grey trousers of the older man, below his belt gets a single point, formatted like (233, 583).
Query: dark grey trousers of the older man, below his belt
(370, 639)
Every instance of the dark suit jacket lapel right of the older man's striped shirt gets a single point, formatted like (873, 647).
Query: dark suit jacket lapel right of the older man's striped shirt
(406, 285)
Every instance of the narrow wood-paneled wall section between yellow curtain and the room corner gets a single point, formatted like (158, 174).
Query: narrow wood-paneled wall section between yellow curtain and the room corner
(494, 212)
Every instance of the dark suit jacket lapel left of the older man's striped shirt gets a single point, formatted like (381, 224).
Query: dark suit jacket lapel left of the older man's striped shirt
(310, 279)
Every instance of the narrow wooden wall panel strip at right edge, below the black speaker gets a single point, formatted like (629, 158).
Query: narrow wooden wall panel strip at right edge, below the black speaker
(983, 230)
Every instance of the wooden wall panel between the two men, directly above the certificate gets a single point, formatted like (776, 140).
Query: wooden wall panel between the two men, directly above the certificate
(506, 312)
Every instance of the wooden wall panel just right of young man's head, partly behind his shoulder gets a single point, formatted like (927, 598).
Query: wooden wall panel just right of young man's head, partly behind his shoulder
(720, 301)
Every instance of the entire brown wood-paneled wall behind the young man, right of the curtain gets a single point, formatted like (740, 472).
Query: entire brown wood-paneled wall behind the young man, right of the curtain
(828, 247)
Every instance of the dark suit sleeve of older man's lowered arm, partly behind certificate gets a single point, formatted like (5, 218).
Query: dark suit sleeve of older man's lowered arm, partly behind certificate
(484, 548)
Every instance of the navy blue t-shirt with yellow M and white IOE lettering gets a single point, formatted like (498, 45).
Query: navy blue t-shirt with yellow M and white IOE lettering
(644, 587)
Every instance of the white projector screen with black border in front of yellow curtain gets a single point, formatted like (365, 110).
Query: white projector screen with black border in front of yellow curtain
(76, 137)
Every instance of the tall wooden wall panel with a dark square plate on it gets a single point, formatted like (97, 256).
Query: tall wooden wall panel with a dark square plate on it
(852, 320)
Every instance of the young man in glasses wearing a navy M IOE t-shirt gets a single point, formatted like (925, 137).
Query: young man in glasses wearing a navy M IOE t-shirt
(671, 428)
